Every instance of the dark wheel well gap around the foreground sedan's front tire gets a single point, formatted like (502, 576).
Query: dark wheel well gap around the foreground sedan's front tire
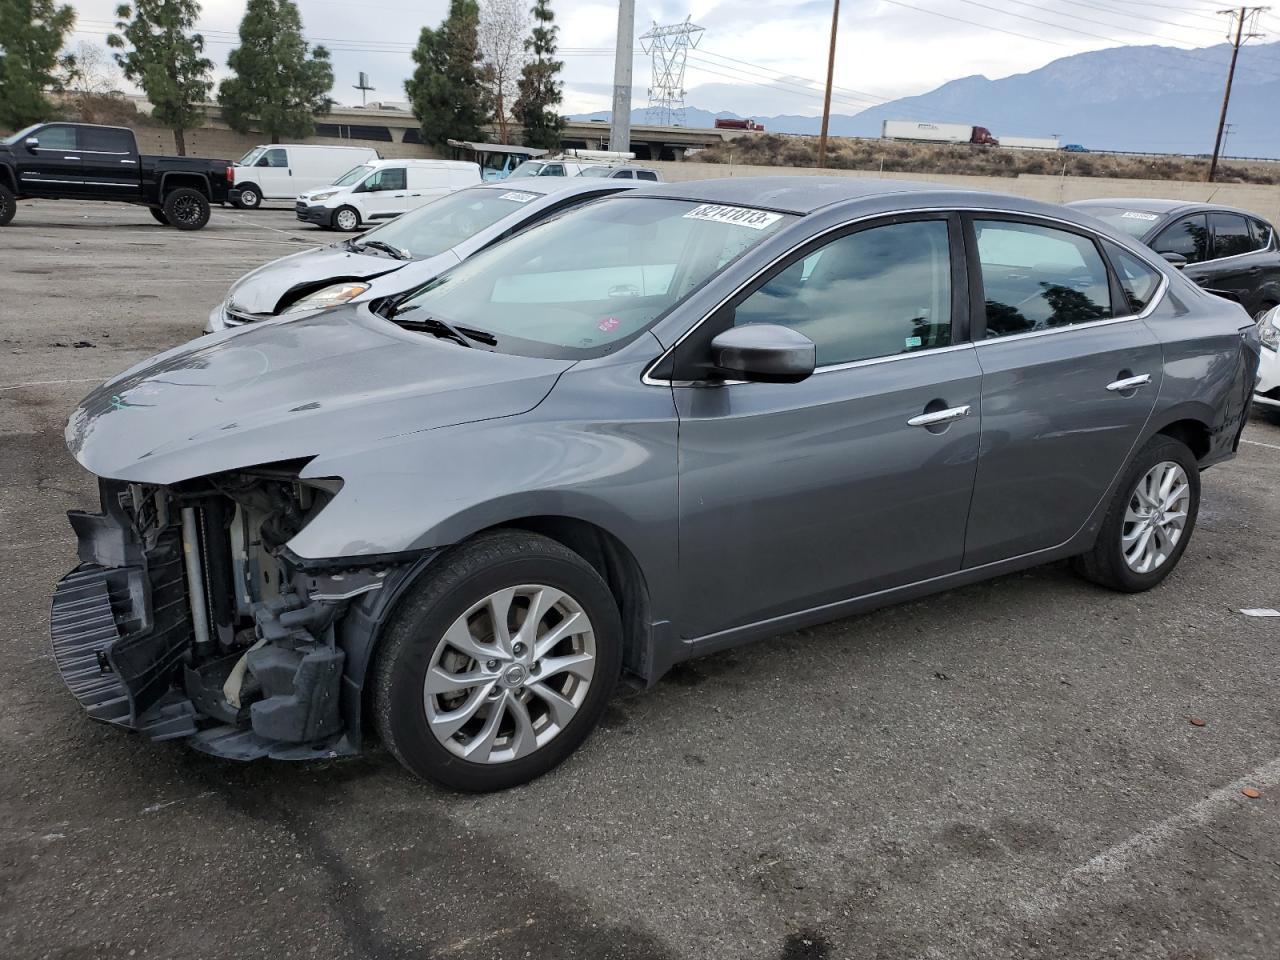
(615, 564)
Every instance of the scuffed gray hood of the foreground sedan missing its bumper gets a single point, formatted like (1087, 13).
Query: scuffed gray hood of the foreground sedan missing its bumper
(330, 383)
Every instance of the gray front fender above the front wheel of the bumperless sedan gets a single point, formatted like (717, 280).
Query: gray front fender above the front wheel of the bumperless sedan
(600, 450)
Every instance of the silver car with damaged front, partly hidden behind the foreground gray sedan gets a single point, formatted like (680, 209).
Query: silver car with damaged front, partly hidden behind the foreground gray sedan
(404, 254)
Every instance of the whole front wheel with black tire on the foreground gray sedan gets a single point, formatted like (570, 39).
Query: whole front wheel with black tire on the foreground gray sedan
(492, 751)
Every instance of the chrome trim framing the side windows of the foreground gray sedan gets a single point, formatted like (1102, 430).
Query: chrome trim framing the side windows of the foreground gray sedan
(1146, 312)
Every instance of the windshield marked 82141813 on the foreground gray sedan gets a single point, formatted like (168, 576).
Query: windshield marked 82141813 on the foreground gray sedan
(589, 281)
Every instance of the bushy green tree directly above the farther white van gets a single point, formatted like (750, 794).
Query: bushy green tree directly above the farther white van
(277, 83)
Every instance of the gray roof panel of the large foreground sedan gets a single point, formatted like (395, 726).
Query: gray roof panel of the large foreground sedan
(796, 195)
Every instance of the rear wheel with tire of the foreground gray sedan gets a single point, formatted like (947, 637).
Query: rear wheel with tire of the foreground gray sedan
(1107, 564)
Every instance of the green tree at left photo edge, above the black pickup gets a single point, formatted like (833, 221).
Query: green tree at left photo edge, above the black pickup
(31, 35)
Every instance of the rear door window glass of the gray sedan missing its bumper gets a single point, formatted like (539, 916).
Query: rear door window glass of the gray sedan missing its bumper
(1040, 278)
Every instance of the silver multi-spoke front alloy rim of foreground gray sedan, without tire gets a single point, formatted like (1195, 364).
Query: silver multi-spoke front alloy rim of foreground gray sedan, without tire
(510, 674)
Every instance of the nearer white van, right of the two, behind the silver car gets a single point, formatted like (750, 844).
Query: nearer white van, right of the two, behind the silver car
(383, 190)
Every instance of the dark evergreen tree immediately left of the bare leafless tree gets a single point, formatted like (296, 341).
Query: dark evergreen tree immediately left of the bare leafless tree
(446, 89)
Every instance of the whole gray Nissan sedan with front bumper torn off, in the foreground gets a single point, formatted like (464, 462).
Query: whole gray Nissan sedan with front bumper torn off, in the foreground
(661, 426)
